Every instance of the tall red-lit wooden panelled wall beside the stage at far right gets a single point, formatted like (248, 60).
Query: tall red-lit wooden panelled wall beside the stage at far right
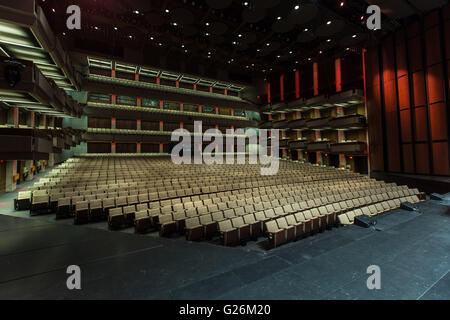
(415, 98)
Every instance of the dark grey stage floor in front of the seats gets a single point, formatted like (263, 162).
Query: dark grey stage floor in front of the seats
(411, 249)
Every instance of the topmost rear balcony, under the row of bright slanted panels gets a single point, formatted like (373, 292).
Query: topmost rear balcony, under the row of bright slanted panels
(142, 81)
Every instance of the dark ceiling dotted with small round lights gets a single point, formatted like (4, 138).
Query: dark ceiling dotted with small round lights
(248, 38)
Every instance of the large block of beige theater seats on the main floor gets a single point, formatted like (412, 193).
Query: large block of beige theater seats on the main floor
(232, 201)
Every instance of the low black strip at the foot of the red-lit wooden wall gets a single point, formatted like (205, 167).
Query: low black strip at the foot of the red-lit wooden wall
(424, 183)
